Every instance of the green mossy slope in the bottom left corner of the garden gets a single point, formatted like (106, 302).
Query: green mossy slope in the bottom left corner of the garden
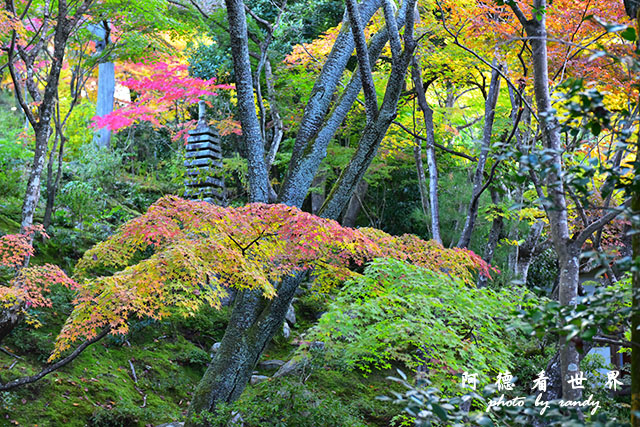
(99, 382)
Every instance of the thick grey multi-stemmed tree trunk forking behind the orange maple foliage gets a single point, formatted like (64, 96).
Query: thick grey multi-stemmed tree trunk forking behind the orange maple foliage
(255, 320)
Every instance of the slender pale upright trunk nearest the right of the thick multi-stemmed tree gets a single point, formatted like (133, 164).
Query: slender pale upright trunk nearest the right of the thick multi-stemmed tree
(427, 113)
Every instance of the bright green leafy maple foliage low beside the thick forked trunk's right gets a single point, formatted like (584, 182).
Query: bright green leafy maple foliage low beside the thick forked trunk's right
(403, 313)
